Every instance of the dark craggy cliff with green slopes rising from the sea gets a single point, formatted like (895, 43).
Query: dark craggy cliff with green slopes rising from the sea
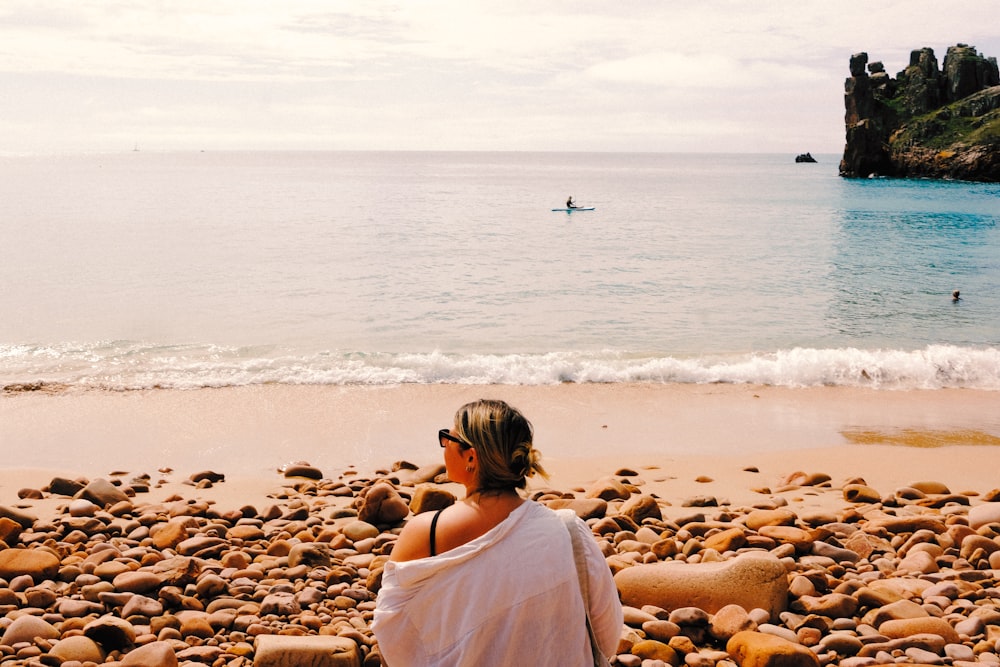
(928, 121)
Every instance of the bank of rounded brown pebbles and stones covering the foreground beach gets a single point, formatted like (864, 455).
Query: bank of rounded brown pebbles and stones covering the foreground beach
(910, 576)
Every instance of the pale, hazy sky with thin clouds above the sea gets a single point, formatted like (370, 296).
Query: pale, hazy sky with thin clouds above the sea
(524, 75)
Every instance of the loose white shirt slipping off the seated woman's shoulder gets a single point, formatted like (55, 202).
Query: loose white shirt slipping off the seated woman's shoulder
(508, 597)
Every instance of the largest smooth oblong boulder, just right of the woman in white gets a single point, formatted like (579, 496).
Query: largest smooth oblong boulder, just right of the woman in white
(751, 580)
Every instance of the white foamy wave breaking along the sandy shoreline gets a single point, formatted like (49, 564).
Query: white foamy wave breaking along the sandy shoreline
(132, 366)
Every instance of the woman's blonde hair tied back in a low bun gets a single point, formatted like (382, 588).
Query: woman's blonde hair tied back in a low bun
(502, 437)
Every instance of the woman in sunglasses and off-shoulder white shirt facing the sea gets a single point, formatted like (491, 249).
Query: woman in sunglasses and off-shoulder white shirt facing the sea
(491, 580)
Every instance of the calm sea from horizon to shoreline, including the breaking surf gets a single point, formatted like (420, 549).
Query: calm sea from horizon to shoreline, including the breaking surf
(144, 269)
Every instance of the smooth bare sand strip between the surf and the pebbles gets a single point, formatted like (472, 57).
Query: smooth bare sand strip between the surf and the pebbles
(682, 440)
